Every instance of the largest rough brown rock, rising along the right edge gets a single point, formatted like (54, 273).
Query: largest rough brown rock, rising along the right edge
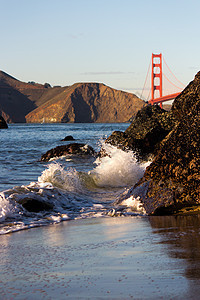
(171, 184)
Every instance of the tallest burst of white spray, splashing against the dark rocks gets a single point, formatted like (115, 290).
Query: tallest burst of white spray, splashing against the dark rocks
(117, 169)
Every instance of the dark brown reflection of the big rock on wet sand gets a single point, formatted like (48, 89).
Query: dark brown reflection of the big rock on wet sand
(182, 234)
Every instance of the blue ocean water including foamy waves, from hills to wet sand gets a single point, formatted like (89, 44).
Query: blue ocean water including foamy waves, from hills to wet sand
(70, 187)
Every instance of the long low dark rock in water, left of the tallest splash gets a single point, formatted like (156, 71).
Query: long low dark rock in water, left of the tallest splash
(74, 148)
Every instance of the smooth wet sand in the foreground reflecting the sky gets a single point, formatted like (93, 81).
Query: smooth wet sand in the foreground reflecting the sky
(104, 258)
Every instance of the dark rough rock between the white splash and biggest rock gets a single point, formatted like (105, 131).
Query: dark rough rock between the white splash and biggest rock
(150, 126)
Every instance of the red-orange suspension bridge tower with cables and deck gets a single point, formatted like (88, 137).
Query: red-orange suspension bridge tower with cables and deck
(157, 93)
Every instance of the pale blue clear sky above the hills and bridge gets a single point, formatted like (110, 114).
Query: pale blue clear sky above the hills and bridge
(111, 41)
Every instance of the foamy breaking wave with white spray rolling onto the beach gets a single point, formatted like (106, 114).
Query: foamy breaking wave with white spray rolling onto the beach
(62, 193)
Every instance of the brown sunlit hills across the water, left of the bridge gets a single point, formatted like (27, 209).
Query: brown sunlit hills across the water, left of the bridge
(82, 102)
